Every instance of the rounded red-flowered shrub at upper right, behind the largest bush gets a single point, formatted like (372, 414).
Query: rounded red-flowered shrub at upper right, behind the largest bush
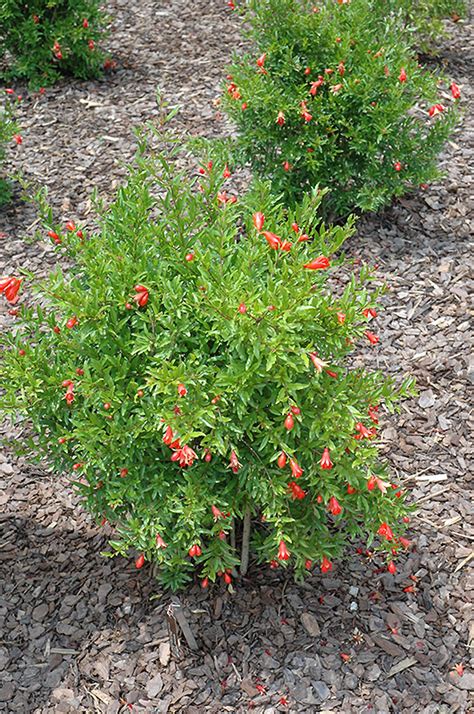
(334, 96)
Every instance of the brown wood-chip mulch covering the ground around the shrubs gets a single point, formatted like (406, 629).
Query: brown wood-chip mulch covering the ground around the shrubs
(81, 634)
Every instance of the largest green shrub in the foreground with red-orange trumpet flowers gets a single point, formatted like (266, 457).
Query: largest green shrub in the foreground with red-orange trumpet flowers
(193, 375)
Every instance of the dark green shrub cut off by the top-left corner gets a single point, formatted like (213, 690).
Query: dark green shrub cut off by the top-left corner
(43, 39)
